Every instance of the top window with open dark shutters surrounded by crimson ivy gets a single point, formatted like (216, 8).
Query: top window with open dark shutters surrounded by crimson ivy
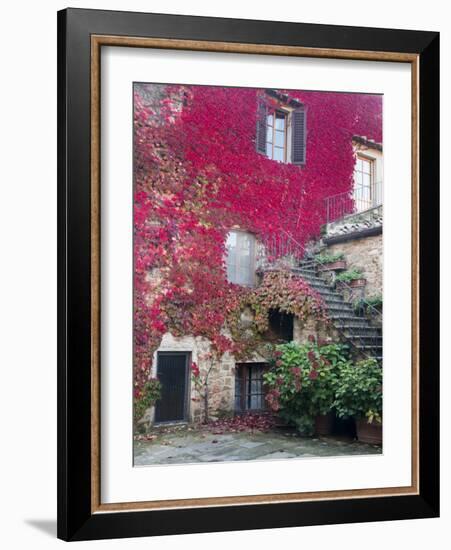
(281, 133)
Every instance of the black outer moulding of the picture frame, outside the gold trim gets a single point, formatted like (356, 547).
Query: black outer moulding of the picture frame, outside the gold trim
(76, 521)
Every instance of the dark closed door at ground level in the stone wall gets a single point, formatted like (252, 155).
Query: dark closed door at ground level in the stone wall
(172, 371)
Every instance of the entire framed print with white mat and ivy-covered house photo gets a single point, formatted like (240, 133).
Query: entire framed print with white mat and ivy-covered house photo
(248, 274)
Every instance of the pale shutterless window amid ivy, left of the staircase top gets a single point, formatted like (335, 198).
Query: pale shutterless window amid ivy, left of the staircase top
(240, 258)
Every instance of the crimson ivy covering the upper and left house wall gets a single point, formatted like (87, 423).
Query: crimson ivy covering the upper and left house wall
(197, 174)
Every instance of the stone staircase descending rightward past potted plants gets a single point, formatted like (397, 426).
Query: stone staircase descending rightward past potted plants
(364, 339)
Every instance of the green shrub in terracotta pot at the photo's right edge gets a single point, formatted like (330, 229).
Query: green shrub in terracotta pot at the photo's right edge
(358, 395)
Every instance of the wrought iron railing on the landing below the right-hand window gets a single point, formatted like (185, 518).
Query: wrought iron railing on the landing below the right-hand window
(361, 198)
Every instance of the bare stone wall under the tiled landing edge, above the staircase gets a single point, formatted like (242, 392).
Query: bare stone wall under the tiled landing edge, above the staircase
(364, 254)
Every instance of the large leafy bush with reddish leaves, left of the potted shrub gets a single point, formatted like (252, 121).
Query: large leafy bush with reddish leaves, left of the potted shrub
(302, 381)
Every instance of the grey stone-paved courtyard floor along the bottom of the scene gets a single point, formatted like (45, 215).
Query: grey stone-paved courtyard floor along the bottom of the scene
(197, 446)
